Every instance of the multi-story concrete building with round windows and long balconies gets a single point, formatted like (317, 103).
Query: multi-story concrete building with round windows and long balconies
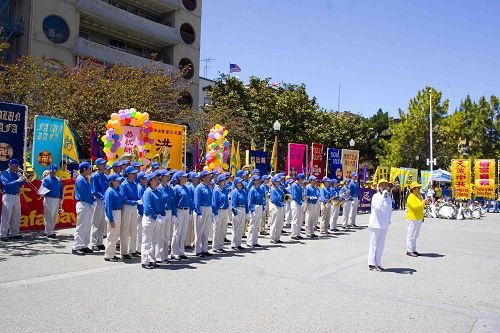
(126, 31)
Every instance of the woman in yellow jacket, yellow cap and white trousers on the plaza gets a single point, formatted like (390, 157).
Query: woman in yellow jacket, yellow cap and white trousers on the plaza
(415, 217)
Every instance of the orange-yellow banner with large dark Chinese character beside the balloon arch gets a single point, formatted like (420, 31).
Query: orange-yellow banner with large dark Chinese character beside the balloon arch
(169, 142)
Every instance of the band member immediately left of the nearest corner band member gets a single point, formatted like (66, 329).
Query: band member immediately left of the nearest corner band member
(128, 226)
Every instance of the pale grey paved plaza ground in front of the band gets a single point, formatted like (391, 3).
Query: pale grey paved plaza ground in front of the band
(319, 285)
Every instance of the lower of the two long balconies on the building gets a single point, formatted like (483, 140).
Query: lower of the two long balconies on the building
(106, 54)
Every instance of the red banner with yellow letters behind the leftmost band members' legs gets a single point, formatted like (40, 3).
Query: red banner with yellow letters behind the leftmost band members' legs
(32, 207)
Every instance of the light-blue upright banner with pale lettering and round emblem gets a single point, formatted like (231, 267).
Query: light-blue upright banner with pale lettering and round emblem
(47, 143)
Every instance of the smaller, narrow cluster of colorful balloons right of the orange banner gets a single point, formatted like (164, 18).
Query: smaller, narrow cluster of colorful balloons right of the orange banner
(218, 149)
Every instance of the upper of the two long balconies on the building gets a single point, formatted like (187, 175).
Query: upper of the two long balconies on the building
(107, 16)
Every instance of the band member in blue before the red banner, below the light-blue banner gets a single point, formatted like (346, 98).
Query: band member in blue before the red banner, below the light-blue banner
(52, 201)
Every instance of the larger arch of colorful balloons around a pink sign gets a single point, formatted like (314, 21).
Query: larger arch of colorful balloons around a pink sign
(114, 132)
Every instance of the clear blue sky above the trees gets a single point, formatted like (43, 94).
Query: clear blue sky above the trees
(381, 52)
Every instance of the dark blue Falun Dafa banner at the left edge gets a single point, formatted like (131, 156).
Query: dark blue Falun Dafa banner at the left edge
(13, 118)
